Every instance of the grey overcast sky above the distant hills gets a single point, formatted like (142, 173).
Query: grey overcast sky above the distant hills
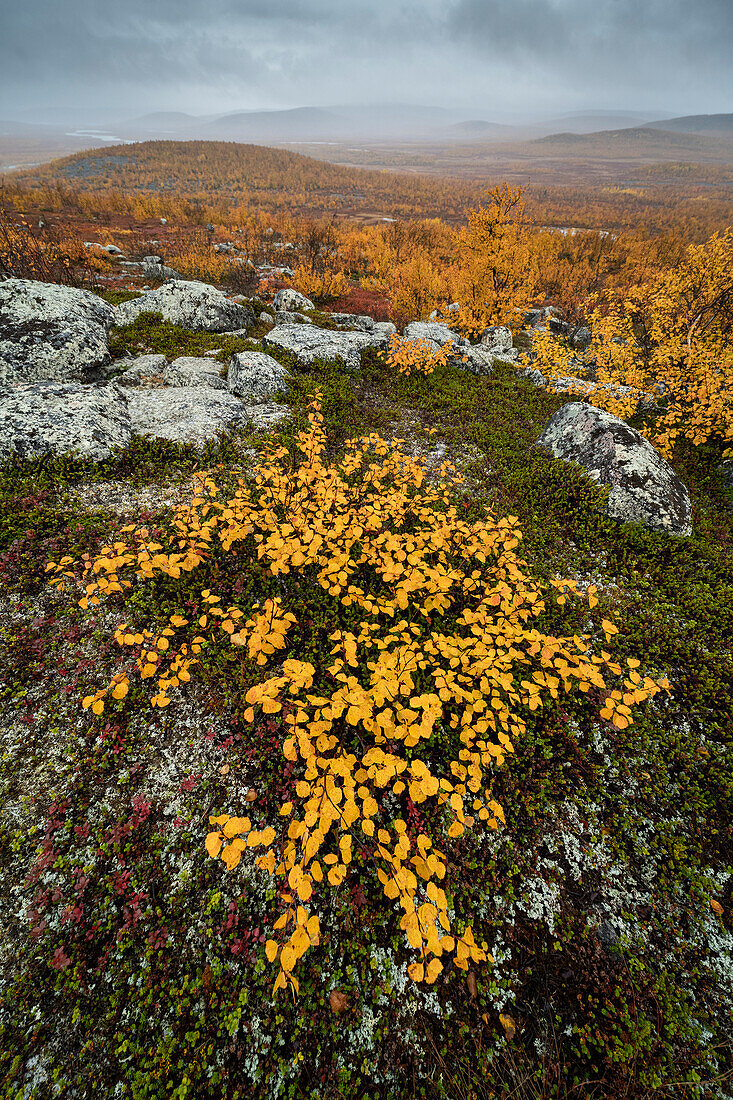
(494, 59)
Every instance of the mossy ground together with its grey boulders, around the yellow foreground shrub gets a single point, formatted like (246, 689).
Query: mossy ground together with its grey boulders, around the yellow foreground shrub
(132, 964)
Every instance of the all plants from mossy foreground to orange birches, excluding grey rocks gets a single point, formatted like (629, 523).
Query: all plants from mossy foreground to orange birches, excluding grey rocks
(373, 758)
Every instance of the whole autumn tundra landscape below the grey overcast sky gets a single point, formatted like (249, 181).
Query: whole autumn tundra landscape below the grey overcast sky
(367, 607)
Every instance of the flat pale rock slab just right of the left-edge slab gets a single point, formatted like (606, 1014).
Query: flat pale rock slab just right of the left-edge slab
(195, 415)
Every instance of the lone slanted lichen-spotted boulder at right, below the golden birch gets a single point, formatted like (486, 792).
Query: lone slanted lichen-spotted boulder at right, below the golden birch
(644, 488)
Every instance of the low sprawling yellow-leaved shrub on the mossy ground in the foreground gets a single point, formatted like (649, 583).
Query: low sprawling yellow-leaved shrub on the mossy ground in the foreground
(435, 661)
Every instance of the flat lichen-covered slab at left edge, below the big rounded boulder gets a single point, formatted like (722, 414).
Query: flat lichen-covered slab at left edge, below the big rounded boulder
(63, 417)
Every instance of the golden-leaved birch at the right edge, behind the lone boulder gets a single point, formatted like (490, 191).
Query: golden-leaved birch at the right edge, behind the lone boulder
(669, 339)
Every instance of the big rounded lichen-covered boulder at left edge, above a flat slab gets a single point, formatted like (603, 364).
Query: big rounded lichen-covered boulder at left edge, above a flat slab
(50, 333)
